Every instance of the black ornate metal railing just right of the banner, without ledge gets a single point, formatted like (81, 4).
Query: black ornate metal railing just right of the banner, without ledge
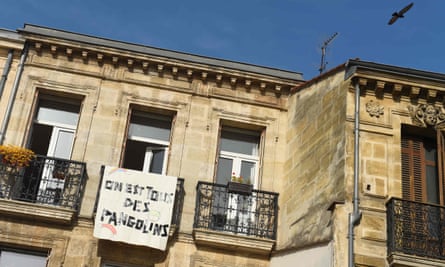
(252, 213)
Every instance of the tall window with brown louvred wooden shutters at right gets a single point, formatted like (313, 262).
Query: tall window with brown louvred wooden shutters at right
(422, 165)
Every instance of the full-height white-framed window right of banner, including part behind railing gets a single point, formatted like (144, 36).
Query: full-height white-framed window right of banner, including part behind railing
(238, 158)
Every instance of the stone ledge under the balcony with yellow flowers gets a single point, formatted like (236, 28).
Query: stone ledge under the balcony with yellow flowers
(43, 213)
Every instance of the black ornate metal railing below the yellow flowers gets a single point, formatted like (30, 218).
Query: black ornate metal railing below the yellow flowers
(46, 180)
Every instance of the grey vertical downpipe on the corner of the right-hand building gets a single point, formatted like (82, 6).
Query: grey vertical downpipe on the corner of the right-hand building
(356, 215)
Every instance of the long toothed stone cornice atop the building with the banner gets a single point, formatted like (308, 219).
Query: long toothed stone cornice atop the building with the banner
(173, 68)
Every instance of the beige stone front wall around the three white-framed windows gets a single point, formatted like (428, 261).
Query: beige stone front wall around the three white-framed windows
(106, 93)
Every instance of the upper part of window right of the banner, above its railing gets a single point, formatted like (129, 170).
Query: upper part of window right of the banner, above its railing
(238, 155)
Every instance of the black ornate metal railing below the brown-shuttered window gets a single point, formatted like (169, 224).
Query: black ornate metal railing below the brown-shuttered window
(415, 228)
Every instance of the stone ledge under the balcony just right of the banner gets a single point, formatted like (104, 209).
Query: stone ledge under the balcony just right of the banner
(234, 242)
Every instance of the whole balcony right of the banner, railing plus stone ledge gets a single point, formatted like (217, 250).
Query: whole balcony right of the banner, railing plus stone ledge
(246, 220)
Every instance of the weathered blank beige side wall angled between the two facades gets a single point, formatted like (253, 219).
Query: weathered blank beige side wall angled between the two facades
(315, 169)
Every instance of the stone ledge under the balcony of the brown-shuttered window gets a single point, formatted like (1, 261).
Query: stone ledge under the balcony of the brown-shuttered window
(406, 260)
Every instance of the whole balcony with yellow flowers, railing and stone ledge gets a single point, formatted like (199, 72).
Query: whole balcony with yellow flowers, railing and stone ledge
(49, 188)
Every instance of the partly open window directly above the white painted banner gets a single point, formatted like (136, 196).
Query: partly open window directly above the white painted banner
(148, 141)
